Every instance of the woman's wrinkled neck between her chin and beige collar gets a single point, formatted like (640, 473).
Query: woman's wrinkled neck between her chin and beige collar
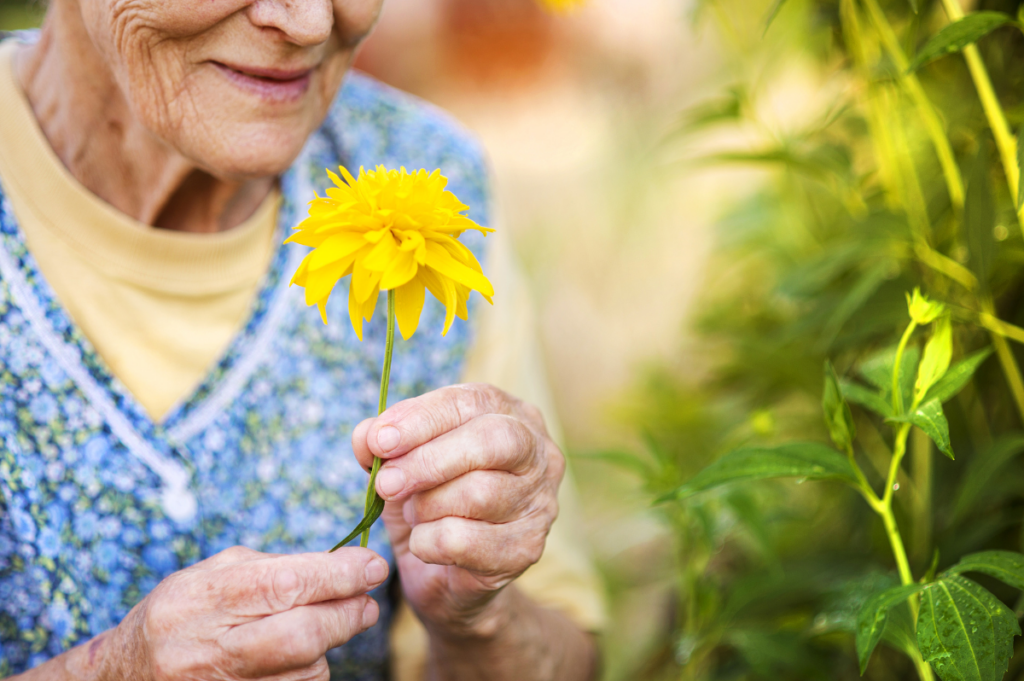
(91, 126)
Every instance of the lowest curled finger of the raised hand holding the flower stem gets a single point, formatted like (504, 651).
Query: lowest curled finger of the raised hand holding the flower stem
(484, 548)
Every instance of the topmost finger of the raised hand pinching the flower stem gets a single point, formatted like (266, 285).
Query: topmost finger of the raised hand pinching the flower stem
(413, 422)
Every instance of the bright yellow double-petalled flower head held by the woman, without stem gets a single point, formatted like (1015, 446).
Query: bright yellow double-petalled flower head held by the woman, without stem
(390, 230)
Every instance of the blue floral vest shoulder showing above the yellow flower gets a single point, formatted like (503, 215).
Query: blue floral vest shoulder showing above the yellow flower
(378, 124)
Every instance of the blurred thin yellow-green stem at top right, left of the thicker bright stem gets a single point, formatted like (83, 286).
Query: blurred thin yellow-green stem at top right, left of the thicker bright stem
(929, 117)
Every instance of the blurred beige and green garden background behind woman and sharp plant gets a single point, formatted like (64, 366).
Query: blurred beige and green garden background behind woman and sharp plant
(710, 207)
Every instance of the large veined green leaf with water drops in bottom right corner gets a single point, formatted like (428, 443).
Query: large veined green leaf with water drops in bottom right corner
(965, 632)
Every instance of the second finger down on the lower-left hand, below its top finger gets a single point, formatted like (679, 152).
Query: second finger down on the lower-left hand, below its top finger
(298, 639)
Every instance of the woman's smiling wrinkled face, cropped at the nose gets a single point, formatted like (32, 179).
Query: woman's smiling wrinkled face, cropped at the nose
(236, 87)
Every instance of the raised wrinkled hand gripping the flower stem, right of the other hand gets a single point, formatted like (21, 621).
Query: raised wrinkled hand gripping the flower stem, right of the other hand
(471, 478)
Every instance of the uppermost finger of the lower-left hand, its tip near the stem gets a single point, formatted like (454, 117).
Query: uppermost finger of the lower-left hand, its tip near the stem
(276, 585)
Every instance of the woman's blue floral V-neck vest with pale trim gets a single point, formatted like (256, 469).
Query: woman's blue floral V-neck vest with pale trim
(99, 503)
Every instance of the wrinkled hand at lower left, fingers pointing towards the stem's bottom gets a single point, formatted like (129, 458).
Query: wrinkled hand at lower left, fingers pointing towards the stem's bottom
(239, 615)
